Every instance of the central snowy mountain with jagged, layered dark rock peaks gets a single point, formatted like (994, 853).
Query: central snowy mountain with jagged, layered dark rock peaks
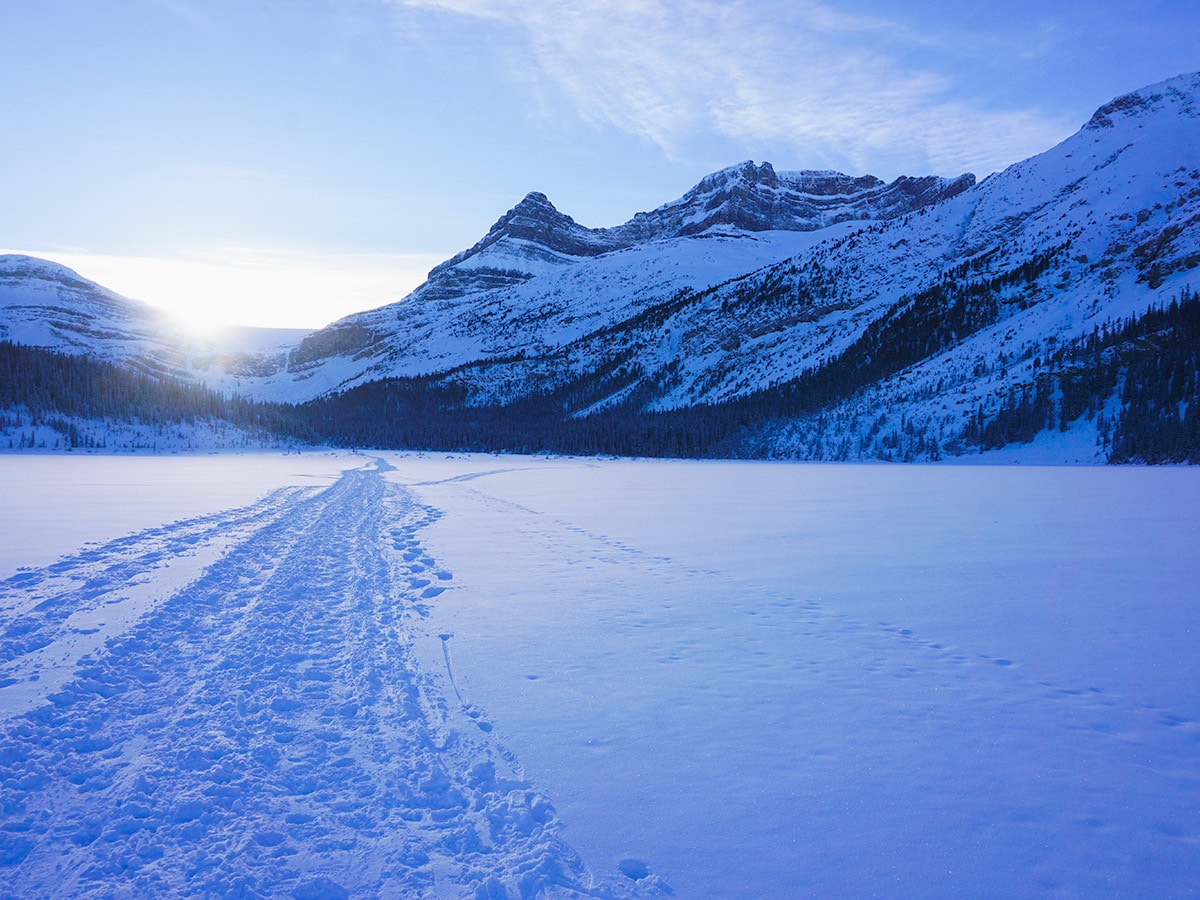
(538, 280)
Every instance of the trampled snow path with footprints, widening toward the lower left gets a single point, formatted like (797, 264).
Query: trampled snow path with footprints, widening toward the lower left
(265, 730)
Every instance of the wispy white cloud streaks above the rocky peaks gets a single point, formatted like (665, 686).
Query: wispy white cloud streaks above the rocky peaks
(796, 75)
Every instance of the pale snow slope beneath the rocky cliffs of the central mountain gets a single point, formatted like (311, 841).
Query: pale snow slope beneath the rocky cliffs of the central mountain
(561, 305)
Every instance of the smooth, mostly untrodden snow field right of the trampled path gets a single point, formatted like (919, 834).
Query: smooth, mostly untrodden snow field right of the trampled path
(785, 681)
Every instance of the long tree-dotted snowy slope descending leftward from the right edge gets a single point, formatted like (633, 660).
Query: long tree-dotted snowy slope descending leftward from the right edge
(965, 296)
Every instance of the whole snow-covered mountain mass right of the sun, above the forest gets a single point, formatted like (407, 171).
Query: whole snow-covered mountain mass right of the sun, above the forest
(927, 301)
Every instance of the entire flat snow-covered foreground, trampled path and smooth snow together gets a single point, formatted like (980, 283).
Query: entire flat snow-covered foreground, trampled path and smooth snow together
(466, 675)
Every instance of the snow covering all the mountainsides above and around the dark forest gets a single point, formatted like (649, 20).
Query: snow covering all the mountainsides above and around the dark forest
(1112, 212)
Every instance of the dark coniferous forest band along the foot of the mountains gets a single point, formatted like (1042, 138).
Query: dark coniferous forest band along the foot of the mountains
(1139, 380)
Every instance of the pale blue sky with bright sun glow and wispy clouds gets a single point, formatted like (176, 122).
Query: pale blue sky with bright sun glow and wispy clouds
(287, 163)
